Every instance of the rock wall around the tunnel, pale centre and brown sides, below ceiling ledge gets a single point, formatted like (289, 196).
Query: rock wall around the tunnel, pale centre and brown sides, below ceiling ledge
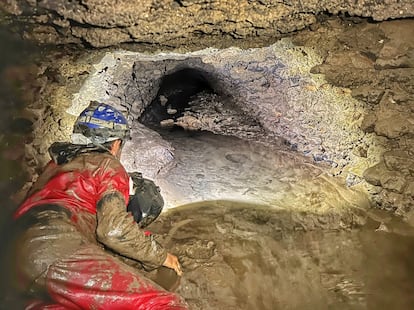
(320, 92)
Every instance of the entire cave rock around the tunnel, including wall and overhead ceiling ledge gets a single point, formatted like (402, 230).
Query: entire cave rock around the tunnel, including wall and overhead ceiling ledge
(339, 92)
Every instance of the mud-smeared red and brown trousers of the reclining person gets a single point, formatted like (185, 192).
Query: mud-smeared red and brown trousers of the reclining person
(53, 257)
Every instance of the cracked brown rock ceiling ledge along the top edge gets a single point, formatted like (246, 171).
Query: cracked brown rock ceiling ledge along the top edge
(174, 22)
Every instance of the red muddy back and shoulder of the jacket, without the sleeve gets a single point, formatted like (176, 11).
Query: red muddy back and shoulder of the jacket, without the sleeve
(78, 184)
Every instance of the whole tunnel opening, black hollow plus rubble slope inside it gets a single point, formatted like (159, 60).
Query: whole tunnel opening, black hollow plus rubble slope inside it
(196, 101)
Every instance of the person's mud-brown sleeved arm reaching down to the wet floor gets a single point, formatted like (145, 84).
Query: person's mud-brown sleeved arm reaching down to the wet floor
(117, 230)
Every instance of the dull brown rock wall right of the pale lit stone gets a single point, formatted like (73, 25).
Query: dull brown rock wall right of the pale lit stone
(376, 62)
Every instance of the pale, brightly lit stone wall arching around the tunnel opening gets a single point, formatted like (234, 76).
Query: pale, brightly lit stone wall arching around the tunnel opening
(271, 87)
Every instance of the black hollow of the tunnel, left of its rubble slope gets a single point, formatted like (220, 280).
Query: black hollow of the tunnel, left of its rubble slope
(173, 97)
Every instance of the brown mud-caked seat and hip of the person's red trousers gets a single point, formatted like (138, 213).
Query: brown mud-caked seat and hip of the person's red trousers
(49, 236)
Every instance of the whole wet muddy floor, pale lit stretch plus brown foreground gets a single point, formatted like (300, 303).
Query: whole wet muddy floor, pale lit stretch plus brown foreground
(277, 233)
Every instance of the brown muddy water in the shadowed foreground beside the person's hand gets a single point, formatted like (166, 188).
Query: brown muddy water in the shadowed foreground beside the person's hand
(239, 256)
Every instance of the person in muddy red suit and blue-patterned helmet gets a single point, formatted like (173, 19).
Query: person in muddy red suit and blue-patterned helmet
(76, 214)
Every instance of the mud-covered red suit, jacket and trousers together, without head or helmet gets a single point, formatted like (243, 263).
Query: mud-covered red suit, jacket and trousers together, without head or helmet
(64, 257)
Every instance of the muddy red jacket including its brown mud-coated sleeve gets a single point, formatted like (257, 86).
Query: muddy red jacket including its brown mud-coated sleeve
(80, 186)
